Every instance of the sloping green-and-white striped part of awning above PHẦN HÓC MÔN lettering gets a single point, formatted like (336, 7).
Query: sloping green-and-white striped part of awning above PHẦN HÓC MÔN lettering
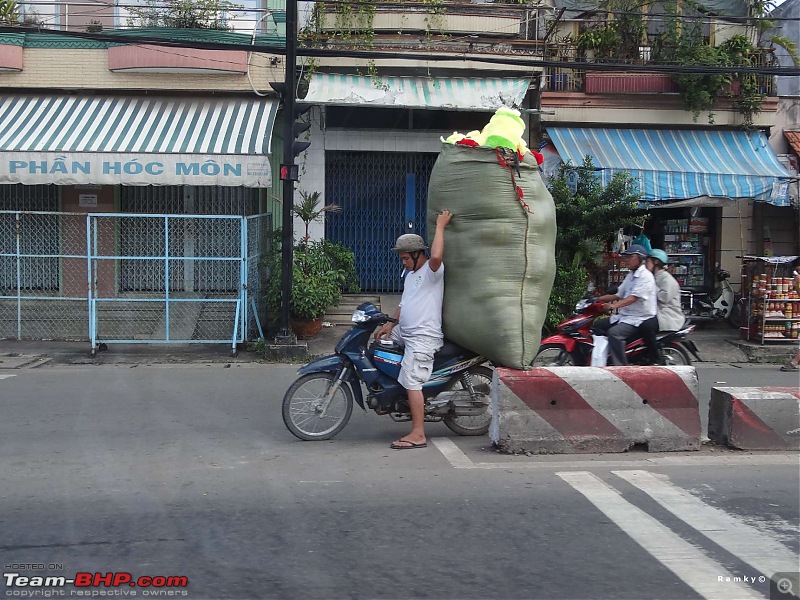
(136, 125)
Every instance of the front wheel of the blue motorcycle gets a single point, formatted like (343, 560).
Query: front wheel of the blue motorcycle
(302, 407)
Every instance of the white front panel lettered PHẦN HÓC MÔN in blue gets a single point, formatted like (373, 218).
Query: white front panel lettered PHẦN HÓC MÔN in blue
(134, 169)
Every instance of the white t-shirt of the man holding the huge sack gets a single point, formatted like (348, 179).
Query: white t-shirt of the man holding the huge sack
(421, 303)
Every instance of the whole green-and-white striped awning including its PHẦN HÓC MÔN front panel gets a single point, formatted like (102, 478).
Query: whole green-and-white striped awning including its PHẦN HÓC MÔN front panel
(69, 140)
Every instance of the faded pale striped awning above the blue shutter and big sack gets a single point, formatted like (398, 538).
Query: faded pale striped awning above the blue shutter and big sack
(418, 92)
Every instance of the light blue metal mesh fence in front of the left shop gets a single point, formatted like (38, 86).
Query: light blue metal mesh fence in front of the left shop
(133, 278)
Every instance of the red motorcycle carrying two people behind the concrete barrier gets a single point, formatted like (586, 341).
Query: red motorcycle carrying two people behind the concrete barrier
(572, 343)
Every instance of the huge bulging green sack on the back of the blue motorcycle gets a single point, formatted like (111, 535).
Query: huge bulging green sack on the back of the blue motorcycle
(499, 256)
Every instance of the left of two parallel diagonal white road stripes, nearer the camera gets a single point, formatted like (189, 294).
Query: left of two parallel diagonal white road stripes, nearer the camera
(690, 563)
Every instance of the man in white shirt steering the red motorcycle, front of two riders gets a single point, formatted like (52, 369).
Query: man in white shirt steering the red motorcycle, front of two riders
(635, 303)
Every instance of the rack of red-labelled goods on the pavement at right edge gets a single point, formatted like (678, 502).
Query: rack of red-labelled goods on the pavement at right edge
(772, 302)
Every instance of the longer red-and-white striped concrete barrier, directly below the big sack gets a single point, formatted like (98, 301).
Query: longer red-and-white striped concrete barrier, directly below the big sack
(566, 410)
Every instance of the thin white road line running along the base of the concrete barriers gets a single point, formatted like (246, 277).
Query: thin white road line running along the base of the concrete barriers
(459, 460)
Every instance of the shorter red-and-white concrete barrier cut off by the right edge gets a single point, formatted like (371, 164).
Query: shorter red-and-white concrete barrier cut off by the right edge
(755, 418)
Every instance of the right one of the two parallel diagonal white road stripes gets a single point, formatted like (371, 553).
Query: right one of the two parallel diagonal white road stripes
(737, 537)
